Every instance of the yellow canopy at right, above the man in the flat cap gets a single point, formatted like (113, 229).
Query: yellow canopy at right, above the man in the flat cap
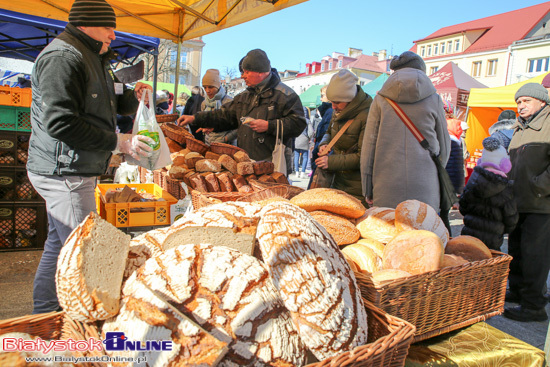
(484, 106)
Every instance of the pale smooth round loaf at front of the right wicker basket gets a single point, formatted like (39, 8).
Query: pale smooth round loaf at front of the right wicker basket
(415, 252)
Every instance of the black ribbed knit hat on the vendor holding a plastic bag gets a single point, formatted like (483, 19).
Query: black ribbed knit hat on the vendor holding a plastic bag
(92, 13)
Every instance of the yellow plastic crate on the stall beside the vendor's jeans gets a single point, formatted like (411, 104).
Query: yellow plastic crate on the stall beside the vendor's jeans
(139, 214)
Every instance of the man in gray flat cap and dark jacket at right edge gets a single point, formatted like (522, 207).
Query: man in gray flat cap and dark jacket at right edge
(528, 243)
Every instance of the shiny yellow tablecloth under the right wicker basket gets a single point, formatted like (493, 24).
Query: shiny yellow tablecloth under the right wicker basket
(479, 345)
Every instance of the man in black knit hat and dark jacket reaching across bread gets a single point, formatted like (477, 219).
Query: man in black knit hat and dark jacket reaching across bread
(266, 101)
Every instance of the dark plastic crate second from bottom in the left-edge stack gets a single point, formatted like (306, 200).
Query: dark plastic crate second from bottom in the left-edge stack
(15, 186)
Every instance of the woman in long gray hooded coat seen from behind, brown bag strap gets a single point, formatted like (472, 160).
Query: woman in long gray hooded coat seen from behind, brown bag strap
(394, 166)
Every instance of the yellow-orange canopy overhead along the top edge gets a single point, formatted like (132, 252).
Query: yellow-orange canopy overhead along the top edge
(176, 20)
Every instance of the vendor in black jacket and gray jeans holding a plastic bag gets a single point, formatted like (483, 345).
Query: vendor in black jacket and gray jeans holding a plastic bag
(75, 102)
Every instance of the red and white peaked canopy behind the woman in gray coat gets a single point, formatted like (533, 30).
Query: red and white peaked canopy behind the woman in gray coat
(453, 84)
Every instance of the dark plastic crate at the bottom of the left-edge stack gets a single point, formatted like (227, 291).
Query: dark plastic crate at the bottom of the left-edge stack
(23, 226)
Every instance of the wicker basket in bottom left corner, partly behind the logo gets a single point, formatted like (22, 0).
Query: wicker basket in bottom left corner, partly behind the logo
(54, 325)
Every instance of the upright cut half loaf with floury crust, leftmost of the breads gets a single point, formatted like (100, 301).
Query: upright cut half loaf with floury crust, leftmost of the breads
(90, 268)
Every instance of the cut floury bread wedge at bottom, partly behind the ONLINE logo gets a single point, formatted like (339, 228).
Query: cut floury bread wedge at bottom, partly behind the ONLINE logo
(146, 316)
